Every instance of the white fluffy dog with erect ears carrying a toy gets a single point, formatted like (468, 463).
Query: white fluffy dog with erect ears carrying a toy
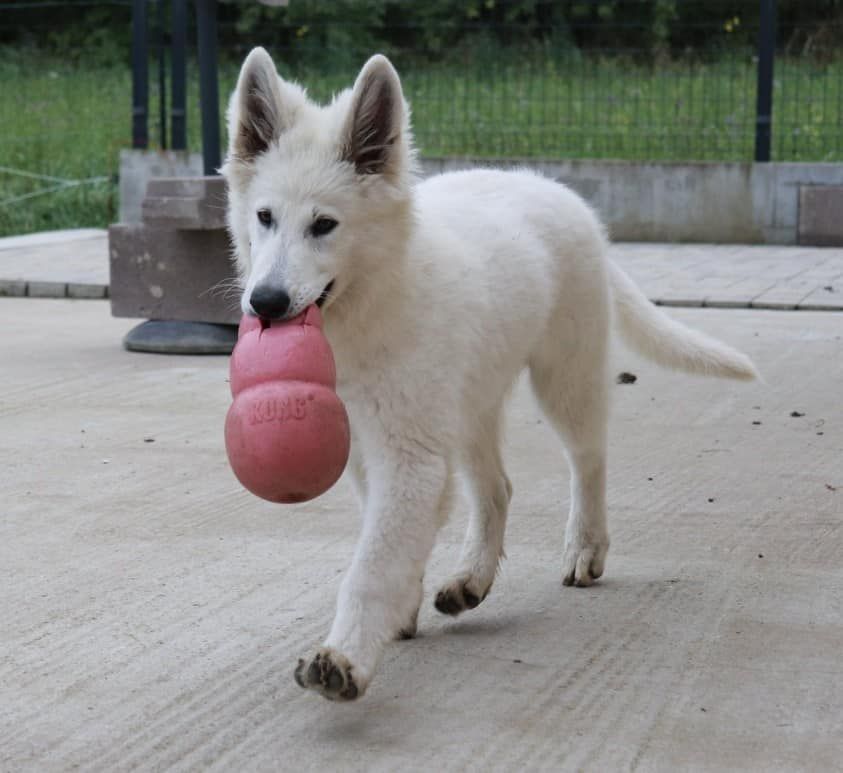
(436, 295)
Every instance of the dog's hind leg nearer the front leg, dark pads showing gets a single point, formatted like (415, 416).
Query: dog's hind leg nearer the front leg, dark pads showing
(482, 548)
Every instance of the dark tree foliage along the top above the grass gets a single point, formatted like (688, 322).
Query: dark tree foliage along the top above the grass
(309, 32)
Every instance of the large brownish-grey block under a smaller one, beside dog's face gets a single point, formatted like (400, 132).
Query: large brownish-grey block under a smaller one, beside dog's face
(159, 273)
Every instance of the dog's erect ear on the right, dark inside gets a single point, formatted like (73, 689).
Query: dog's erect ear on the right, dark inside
(376, 119)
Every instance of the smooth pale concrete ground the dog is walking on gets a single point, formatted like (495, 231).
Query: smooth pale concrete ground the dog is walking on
(152, 611)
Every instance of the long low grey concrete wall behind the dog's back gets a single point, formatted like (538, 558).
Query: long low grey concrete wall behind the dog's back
(683, 202)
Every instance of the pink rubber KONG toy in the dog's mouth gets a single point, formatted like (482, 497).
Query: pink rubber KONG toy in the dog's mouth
(286, 432)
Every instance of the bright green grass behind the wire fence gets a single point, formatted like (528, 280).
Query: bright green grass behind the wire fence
(70, 122)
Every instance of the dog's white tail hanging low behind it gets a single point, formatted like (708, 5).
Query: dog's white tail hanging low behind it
(670, 343)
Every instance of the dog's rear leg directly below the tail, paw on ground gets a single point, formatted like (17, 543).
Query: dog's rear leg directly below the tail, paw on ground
(572, 388)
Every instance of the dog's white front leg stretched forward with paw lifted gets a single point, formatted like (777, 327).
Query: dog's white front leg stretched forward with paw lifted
(380, 595)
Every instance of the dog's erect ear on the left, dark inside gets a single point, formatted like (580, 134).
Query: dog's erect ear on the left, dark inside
(256, 115)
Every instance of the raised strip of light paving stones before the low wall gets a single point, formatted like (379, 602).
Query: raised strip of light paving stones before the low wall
(75, 264)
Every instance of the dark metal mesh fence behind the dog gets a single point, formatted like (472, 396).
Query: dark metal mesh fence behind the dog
(627, 79)
